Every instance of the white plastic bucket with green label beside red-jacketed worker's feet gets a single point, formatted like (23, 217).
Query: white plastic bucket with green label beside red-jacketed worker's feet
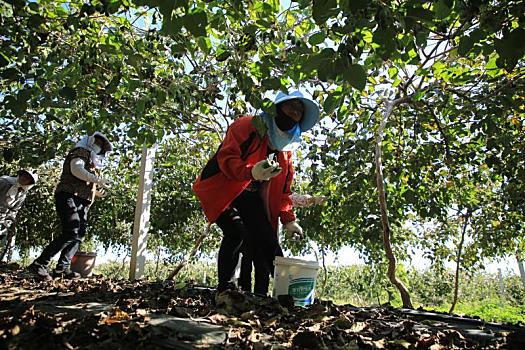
(295, 277)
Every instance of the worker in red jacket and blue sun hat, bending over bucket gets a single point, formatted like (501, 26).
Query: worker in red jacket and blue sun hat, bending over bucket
(245, 187)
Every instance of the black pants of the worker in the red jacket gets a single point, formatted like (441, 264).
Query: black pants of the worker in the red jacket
(246, 228)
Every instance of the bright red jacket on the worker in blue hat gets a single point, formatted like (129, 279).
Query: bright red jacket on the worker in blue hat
(229, 172)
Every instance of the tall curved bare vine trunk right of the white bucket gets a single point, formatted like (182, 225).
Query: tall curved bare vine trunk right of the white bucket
(405, 296)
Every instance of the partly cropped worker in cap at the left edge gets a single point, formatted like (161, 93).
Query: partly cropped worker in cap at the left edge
(13, 192)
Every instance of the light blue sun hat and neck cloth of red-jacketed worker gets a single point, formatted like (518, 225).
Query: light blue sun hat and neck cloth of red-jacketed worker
(290, 140)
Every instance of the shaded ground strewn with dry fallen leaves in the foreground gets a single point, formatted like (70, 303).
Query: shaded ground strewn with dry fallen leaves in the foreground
(98, 313)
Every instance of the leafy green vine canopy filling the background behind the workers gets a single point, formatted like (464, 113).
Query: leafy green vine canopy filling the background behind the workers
(177, 73)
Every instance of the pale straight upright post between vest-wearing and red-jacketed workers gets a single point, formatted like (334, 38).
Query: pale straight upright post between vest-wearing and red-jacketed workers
(142, 213)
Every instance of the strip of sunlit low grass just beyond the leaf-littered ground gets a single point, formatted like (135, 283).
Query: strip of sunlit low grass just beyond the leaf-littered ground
(361, 285)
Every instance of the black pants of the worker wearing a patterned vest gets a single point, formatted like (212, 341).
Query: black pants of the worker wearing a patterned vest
(72, 211)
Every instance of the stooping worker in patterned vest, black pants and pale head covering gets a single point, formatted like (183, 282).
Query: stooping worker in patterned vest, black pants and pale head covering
(79, 184)
